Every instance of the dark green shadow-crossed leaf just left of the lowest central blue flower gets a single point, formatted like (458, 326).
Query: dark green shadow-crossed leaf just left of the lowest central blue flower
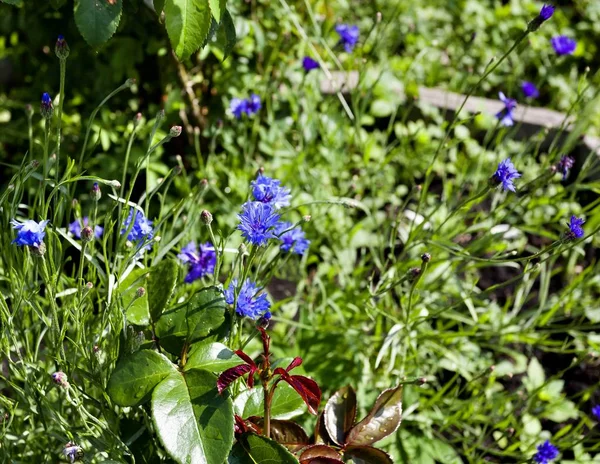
(191, 321)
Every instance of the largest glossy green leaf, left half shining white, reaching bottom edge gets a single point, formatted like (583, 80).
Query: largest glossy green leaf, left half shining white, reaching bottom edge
(194, 423)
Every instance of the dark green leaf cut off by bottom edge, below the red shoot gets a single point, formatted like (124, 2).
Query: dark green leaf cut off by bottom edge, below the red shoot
(256, 449)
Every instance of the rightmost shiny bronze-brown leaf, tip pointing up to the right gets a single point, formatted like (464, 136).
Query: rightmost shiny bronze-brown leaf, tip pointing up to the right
(382, 420)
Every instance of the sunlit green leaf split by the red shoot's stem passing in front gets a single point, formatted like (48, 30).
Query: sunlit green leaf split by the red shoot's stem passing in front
(285, 405)
